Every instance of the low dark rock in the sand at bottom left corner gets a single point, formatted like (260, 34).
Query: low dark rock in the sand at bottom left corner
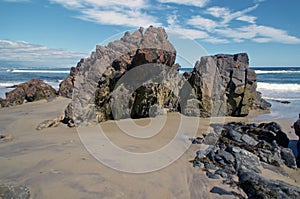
(12, 191)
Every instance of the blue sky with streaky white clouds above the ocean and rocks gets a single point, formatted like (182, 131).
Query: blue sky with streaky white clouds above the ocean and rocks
(60, 32)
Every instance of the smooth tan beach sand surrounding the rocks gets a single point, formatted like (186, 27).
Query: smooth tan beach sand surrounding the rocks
(55, 164)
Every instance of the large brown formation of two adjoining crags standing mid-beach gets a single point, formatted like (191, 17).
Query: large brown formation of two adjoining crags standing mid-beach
(136, 77)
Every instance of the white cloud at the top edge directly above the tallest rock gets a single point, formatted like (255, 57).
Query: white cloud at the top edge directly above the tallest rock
(112, 12)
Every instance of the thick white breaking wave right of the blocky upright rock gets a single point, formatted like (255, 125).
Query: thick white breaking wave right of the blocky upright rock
(278, 87)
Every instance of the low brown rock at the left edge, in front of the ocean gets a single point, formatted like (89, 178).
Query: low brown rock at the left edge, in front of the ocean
(30, 91)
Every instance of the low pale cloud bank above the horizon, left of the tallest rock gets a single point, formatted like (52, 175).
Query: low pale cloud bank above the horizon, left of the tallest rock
(36, 55)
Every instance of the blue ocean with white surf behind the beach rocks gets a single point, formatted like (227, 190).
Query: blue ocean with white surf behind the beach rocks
(275, 83)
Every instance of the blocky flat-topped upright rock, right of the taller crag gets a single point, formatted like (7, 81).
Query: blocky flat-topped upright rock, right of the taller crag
(224, 85)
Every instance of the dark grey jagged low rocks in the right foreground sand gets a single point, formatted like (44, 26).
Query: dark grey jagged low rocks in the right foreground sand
(241, 150)
